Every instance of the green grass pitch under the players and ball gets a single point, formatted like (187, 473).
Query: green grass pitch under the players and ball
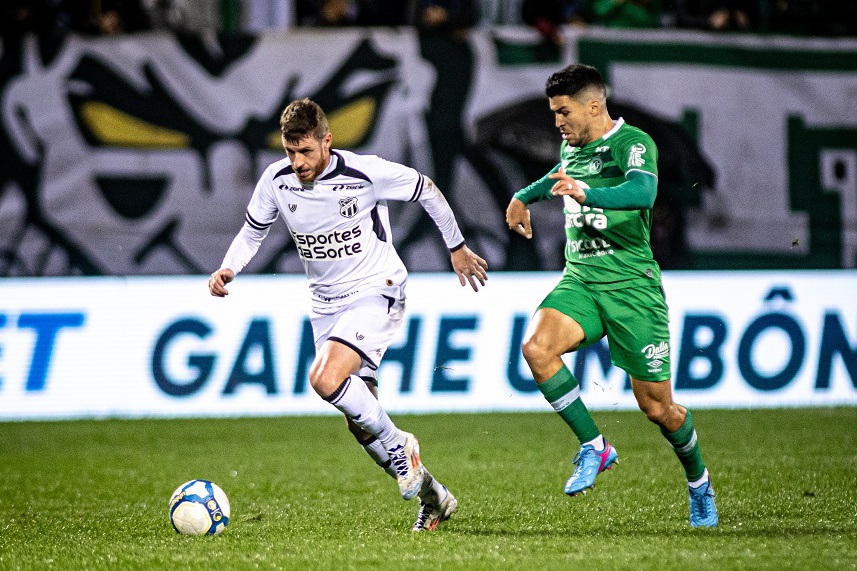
(93, 495)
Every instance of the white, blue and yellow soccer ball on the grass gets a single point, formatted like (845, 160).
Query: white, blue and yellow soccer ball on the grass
(199, 507)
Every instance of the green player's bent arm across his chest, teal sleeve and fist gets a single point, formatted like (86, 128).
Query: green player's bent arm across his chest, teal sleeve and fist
(638, 192)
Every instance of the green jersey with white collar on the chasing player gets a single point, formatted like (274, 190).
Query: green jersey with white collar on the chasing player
(607, 244)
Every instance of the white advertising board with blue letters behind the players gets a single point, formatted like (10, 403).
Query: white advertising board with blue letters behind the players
(136, 347)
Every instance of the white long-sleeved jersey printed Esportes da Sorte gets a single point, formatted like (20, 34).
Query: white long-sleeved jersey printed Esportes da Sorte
(340, 223)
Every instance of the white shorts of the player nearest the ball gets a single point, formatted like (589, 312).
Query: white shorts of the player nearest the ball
(367, 325)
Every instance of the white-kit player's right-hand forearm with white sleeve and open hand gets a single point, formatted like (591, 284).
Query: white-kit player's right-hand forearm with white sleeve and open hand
(469, 267)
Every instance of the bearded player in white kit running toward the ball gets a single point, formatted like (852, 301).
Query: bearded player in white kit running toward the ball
(334, 203)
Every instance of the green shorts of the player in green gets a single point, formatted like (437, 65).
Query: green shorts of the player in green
(635, 321)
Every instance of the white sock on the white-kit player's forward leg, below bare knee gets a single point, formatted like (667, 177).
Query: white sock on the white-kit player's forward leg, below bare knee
(354, 399)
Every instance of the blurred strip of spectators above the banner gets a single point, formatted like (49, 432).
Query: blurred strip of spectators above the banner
(826, 18)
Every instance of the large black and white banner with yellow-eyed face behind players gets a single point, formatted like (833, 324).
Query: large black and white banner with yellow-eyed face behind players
(137, 155)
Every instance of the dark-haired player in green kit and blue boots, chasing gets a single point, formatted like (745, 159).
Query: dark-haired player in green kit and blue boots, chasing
(607, 178)
